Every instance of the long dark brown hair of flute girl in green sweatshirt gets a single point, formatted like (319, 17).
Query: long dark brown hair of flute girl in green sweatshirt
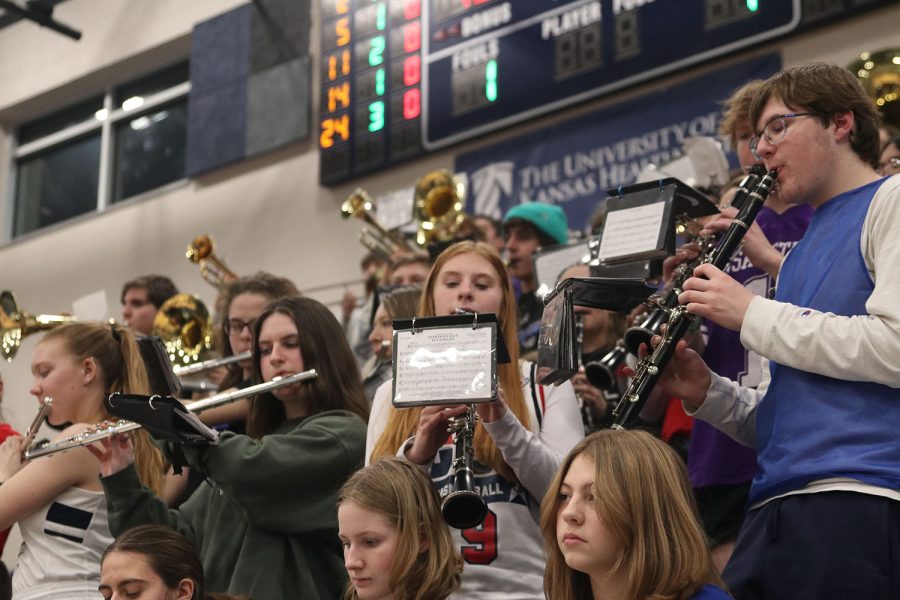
(324, 348)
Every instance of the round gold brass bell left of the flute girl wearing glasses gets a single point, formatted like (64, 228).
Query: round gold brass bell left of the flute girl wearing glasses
(185, 328)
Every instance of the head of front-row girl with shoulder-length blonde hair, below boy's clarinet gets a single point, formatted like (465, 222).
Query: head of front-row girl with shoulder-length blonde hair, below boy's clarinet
(619, 523)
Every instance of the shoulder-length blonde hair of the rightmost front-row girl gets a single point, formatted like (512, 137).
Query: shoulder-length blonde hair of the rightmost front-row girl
(643, 495)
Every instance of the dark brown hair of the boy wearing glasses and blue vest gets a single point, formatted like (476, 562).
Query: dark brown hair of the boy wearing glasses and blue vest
(826, 90)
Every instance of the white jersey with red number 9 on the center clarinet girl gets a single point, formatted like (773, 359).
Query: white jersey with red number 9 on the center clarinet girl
(504, 557)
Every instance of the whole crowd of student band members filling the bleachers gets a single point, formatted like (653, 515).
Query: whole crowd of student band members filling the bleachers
(322, 491)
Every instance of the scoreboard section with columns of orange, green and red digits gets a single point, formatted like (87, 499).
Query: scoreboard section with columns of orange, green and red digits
(371, 101)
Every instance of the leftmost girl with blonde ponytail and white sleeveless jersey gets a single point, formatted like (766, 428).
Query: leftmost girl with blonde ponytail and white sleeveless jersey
(57, 500)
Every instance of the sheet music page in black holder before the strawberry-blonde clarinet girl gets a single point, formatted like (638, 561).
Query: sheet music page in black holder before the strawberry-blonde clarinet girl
(444, 365)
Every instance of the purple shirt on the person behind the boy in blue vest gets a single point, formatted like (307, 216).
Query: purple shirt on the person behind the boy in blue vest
(714, 458)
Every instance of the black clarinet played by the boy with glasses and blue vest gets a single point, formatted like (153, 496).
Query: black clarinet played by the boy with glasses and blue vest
(650, 368)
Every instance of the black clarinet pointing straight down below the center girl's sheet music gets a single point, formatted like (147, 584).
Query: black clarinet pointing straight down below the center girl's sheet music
(464, 507)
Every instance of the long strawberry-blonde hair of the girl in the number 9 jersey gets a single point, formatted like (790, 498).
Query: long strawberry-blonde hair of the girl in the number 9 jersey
(402, 423)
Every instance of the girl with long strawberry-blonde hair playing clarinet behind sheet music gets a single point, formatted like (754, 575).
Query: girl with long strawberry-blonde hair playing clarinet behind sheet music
(519, 439)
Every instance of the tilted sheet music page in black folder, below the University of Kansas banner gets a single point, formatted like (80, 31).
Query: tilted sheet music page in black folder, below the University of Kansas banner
(632, 232)
